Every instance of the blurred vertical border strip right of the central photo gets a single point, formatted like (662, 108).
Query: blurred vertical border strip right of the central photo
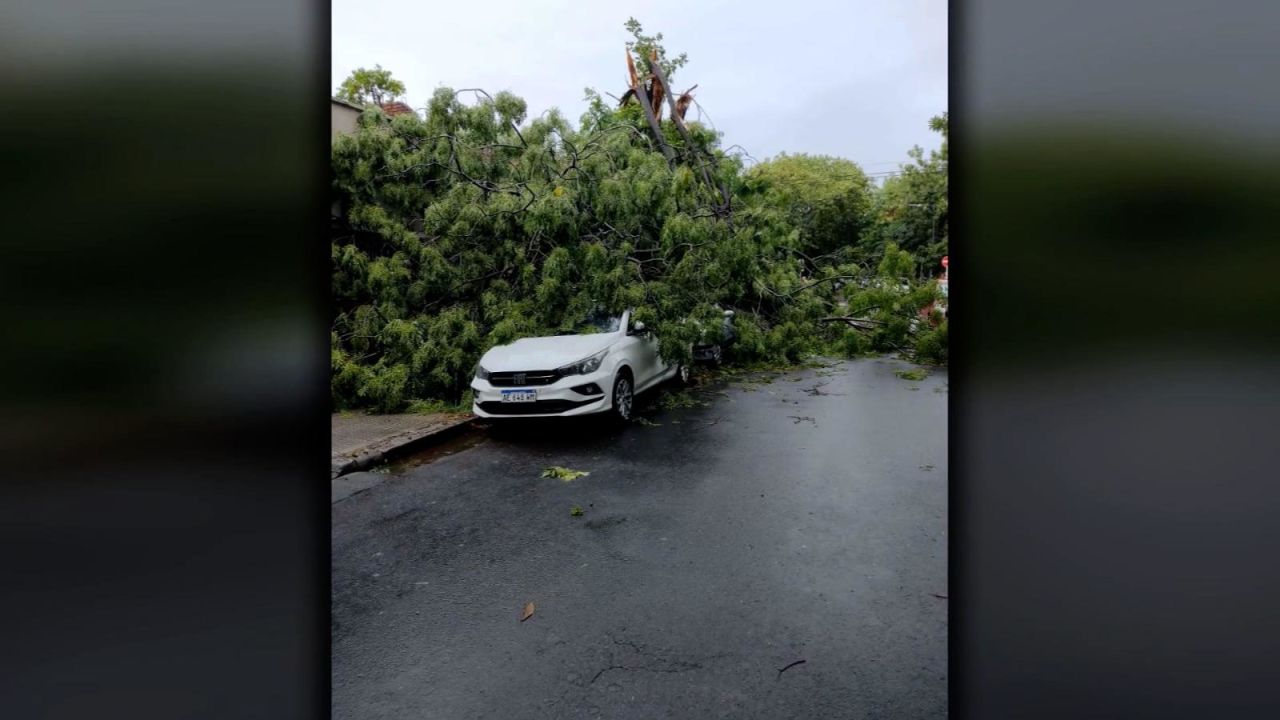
(1116, 398)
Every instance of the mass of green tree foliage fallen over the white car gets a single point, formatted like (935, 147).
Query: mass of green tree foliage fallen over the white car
(474, 226)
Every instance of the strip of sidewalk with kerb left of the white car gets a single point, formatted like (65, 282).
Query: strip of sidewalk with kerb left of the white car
(360, 441)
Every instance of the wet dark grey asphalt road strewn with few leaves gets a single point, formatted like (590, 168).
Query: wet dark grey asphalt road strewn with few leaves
(788, 521)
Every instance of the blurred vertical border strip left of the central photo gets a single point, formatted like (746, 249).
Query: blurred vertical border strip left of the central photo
(163, 421)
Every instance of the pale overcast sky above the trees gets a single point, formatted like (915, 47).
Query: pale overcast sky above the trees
(854, 79)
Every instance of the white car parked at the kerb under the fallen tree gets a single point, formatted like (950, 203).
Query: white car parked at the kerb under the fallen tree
(600, 371)
